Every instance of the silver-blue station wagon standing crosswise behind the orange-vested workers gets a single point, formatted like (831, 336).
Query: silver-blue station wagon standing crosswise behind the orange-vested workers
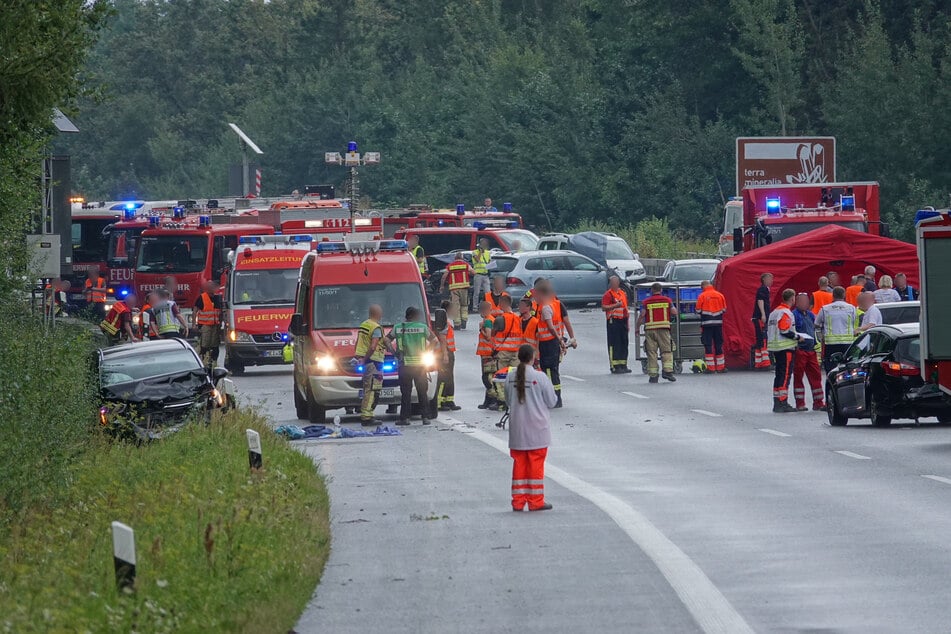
(577, 279)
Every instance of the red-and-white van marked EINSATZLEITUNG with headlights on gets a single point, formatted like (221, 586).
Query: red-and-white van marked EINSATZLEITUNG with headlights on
(338, 283)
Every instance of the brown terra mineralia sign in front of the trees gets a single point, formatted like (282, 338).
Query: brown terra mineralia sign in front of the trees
(784, 160)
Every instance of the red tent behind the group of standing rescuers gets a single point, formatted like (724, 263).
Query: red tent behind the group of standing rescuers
(797, 263)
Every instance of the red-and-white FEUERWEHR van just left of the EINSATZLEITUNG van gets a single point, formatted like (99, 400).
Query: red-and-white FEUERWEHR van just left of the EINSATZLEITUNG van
(260, 298)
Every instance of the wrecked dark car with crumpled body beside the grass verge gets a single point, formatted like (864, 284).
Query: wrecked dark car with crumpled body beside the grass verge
(153, 388)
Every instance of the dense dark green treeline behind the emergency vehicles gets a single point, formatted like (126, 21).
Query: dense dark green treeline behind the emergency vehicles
(608, 109)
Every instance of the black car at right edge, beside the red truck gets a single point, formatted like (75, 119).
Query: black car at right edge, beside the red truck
(879, 377)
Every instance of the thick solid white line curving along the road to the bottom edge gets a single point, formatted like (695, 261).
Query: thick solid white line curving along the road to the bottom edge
(709, 608)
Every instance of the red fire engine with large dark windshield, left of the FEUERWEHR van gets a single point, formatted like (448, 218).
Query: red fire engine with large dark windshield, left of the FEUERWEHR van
(191, 250)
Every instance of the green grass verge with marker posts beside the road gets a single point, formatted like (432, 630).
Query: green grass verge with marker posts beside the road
(219, 548)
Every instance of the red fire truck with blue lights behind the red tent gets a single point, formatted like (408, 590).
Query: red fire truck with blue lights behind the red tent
(775, 212)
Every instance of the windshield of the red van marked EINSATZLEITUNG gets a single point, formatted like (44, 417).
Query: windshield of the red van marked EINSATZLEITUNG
(346, 306)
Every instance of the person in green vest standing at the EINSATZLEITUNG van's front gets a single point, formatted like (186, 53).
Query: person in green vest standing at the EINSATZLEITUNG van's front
(411, 338)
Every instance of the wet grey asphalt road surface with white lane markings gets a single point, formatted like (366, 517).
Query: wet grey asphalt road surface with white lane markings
(679, 507)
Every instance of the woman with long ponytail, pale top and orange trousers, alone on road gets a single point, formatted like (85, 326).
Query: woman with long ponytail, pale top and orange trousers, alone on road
(530, 395)
